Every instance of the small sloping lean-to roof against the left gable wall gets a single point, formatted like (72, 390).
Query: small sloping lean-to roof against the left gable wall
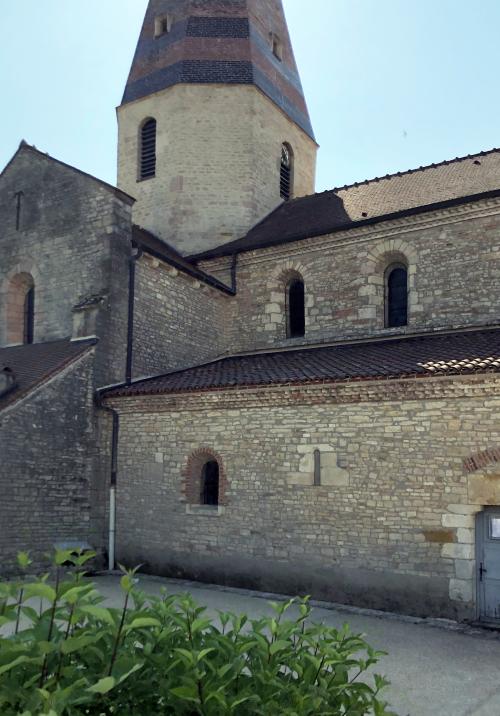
(35, 363)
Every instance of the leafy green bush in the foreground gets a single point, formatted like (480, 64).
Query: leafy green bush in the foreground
(63, 652)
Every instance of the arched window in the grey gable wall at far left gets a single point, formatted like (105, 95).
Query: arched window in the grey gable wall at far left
(21, 309)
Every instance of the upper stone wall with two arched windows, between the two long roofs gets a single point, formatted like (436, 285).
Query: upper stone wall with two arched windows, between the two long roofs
(453, 260)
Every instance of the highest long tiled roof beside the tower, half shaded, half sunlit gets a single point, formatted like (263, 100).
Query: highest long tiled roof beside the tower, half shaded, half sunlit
(450, 182)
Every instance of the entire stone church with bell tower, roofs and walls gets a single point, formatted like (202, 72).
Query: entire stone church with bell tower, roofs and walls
(215, 372)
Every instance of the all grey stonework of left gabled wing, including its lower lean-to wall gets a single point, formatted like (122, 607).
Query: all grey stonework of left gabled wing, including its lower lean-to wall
(74, 241)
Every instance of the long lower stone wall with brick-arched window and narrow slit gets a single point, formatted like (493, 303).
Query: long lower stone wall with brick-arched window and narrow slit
(391, 526)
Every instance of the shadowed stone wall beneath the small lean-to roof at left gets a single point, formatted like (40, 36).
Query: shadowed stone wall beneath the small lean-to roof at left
(49, 471)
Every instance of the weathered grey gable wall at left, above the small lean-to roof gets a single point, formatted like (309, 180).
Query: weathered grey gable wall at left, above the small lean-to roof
(73, 239)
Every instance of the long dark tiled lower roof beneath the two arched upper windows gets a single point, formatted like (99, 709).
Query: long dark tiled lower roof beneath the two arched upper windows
(419, 356)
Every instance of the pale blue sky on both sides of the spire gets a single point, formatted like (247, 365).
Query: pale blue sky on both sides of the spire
(390, 84)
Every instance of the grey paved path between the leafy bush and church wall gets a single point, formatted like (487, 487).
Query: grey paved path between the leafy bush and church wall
(434, 670)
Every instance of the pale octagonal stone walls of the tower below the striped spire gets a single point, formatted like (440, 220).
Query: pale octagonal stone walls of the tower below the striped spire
(218, 152)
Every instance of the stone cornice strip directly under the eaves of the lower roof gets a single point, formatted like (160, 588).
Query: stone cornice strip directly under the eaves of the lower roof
(365, 391)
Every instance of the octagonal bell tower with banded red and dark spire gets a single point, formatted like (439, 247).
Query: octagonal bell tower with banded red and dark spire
(213, 128)
